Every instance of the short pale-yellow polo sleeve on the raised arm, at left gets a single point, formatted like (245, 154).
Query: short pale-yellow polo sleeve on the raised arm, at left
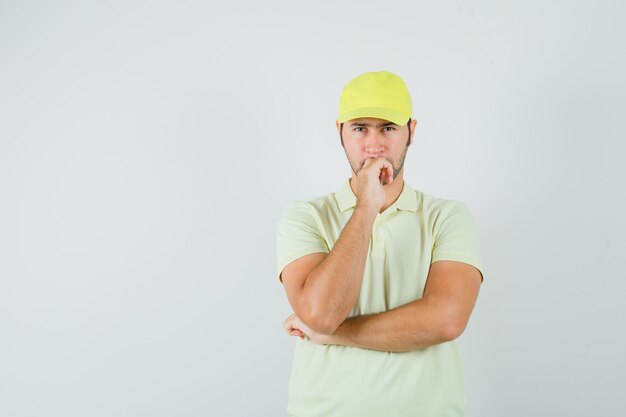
(299, 233)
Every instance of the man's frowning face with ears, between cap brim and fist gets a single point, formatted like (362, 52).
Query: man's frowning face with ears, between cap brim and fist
(372, 138)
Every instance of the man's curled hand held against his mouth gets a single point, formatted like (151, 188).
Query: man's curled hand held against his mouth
(375, 173)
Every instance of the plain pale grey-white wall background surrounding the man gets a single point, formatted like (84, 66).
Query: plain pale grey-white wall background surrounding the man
(148, 149)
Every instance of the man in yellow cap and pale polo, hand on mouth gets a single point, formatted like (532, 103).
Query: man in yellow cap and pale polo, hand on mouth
(382, 278)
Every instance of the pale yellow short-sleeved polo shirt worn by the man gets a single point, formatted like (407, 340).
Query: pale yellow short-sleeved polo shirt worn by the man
(344, 381)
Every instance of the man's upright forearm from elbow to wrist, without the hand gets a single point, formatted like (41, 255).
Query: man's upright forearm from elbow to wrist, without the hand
(332, 288)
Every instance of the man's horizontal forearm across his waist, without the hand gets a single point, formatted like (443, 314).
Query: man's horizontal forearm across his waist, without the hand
(417, 325)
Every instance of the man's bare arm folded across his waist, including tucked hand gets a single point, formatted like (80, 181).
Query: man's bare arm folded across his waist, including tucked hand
(439, 316)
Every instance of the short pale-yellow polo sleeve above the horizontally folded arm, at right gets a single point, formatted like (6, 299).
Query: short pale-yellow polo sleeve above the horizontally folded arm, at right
(456, 236)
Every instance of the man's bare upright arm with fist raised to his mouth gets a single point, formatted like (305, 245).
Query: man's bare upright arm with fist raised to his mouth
(322, 289)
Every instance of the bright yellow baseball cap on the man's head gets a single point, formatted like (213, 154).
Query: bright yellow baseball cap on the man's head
(382, 95)
